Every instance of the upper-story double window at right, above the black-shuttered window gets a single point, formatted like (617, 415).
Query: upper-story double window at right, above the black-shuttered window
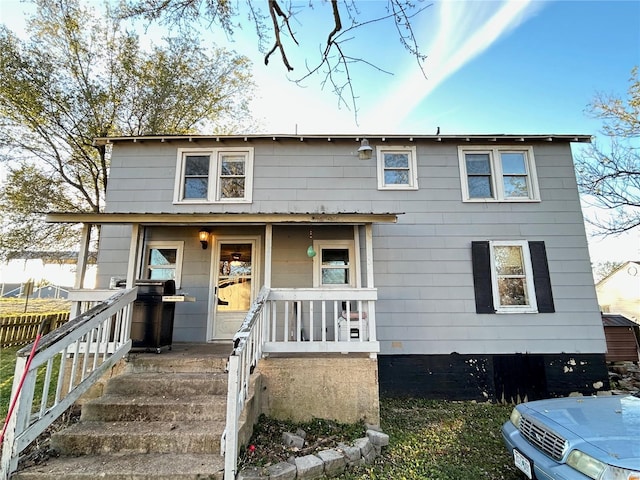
(498, 174)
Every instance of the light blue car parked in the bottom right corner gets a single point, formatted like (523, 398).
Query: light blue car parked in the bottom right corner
(576, 438)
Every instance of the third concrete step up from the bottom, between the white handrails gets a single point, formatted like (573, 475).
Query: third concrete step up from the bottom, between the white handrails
(119, 408)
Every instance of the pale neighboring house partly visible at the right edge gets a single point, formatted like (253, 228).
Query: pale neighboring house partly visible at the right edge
(619, 292)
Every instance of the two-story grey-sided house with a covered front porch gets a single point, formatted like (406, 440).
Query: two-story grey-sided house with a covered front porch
(469, 251)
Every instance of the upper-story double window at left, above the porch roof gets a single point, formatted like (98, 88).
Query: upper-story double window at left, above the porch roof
(214, 175)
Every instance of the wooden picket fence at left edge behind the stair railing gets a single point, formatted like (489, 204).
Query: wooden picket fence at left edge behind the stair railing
(22, 329)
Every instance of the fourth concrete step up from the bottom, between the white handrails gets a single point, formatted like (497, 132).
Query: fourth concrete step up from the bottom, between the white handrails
(182, 385)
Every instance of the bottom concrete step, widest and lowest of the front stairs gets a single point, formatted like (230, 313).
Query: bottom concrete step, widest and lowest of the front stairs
(128, 467)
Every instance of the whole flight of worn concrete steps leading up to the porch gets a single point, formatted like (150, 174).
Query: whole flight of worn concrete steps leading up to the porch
(161, 419)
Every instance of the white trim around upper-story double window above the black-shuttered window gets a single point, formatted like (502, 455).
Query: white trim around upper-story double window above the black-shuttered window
(497, 176)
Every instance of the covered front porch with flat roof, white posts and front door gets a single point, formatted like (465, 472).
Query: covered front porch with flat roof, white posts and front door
(316, 268)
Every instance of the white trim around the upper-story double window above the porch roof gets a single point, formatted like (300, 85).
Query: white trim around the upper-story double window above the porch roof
(213, 190)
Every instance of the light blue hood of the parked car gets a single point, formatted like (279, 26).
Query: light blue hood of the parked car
(608, 423)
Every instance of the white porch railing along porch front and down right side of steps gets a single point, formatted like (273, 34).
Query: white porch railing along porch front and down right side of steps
(294, 320)
